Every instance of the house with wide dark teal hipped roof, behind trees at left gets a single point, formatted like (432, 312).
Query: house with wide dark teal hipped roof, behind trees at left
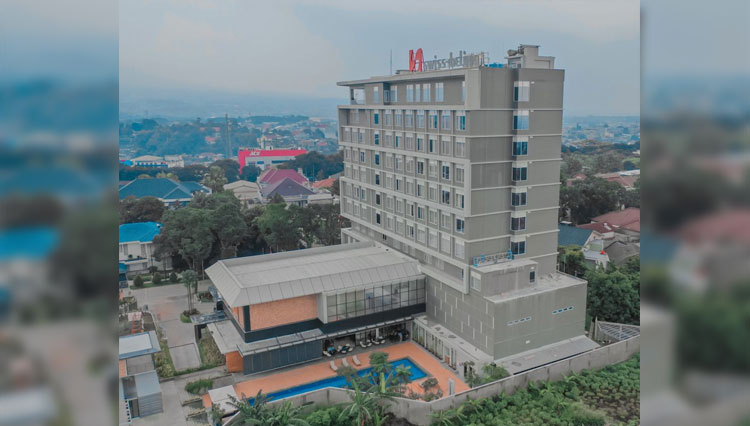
(169, 191)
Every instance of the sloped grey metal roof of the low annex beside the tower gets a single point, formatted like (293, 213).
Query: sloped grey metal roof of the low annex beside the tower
(267, 278)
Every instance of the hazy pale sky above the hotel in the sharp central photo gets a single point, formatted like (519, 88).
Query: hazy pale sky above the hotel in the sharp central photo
(305, 47)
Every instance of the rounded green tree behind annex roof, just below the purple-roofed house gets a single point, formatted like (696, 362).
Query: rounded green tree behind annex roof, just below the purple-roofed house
(280, 227)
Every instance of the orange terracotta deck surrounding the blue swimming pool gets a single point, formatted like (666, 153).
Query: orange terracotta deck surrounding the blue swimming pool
(284, 379)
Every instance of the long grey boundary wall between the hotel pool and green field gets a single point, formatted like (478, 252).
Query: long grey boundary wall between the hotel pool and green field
(418, 412)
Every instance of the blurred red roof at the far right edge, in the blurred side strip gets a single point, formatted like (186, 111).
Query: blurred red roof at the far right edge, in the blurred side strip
(729, 225)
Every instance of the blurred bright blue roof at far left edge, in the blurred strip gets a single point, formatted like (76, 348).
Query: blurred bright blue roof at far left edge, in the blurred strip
(28, 243)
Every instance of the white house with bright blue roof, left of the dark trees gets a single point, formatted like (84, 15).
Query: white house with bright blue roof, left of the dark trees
(137, 247)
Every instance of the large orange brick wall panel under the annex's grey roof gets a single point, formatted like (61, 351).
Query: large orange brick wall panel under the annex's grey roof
(281, 312)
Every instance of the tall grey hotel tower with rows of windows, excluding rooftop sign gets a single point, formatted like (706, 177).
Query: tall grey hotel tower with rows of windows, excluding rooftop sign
(460, 169)
